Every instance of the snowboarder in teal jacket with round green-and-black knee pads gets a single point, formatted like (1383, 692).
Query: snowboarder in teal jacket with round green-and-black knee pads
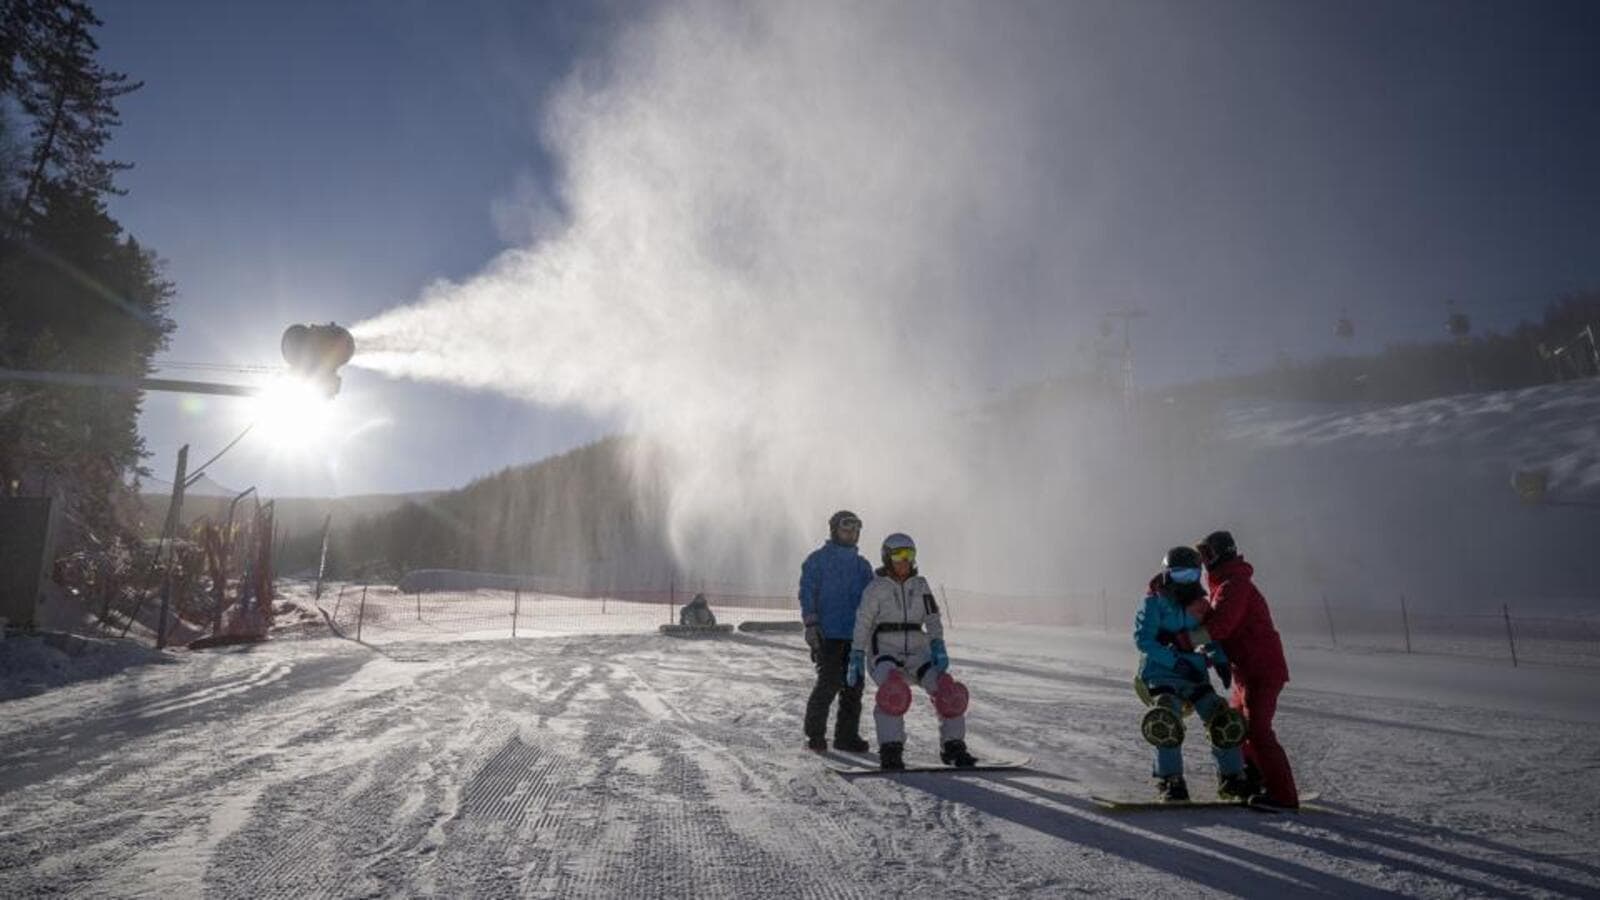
(1174, 680)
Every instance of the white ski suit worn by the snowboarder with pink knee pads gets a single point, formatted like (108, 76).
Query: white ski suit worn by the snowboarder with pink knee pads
(895, 624)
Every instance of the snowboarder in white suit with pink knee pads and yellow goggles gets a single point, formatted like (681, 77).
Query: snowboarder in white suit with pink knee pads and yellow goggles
(900, 624)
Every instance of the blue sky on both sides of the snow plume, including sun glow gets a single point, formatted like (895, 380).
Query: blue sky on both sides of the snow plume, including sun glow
(1257, 169)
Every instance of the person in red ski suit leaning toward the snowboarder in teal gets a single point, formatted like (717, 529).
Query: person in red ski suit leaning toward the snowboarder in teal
(1242, 624)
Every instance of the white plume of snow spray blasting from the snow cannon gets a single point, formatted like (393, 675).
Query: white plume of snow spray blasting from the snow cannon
(790, 230)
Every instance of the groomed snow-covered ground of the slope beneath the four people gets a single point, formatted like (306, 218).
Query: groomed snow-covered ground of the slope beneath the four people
(647, 766)
